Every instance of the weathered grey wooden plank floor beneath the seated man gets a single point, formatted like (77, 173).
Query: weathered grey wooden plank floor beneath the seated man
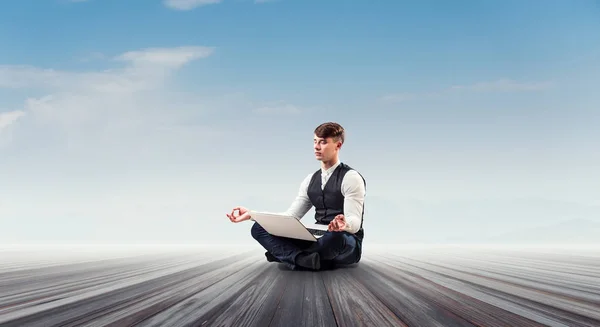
(392, 286)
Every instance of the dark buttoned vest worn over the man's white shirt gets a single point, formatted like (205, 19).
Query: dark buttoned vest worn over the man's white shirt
(329, 201)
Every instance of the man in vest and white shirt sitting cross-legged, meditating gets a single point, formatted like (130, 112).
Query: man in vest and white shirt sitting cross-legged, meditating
(337, 192)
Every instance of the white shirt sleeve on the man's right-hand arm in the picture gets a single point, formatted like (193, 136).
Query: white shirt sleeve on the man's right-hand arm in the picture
(354, 191)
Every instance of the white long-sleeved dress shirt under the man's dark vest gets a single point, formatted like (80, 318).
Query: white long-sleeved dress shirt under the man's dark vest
(353, 190)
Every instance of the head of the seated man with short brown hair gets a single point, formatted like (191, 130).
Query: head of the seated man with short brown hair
(328, 140)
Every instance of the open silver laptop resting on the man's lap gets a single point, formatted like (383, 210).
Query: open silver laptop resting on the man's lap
(288, 226)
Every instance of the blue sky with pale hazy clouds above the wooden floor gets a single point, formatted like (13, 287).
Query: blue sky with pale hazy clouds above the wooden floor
(148, 120)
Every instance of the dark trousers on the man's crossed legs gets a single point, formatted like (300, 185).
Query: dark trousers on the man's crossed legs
(334, 248)
